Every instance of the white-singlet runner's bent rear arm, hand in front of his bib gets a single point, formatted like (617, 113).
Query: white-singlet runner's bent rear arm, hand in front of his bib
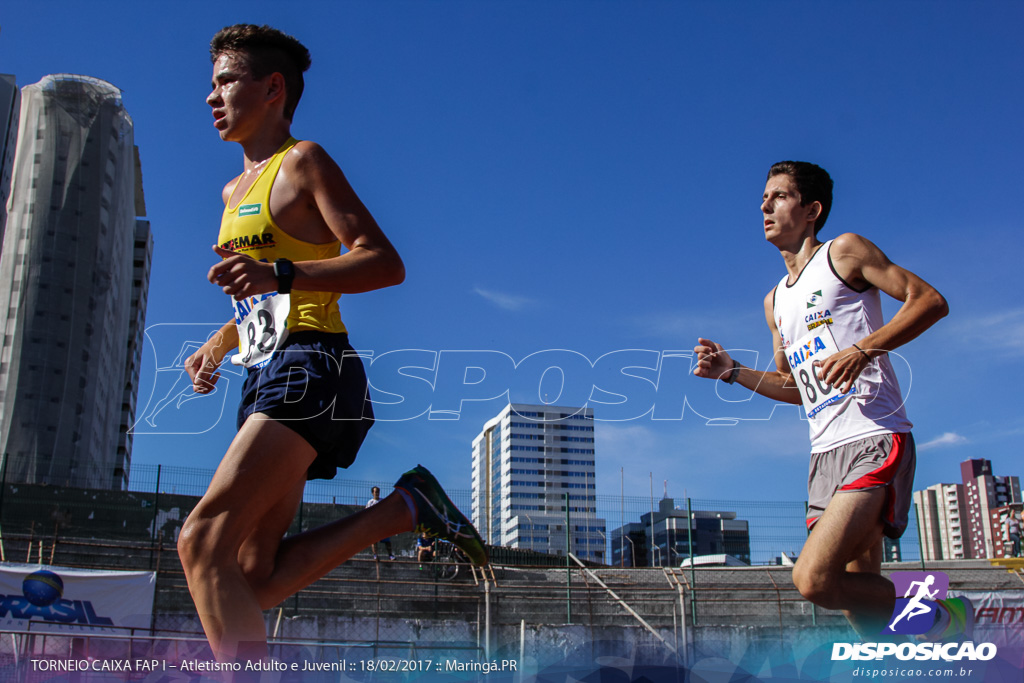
(862, 265)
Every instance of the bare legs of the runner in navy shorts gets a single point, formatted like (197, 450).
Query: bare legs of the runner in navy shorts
(258, 487)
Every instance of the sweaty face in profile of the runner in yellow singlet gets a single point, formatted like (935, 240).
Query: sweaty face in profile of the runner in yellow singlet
(236, 97)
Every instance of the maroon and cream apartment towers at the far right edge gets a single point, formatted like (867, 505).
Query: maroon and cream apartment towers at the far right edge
(957, 521)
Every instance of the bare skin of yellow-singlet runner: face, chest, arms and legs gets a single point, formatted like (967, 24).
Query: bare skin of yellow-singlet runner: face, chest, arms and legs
(236, 559)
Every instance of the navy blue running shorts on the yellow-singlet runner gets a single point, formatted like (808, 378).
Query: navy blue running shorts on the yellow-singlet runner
(315, 386)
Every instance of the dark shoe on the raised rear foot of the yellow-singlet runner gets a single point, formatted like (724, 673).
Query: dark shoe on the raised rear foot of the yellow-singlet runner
(439, 517)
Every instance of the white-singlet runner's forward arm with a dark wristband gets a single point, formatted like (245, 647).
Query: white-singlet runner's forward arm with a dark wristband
(779, 385)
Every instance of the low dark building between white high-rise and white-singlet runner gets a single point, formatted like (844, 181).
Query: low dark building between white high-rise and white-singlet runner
(663, 538)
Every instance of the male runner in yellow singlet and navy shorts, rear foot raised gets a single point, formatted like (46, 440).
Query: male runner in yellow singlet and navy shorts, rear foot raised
(285, 222)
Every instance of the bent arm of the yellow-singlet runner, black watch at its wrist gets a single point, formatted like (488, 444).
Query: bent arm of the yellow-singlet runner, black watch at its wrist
(370, 264)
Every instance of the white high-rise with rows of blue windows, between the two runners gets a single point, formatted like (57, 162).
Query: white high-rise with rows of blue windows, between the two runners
(526, 462)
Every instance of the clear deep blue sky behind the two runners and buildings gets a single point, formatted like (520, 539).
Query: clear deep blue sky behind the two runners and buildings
(586, 177)
